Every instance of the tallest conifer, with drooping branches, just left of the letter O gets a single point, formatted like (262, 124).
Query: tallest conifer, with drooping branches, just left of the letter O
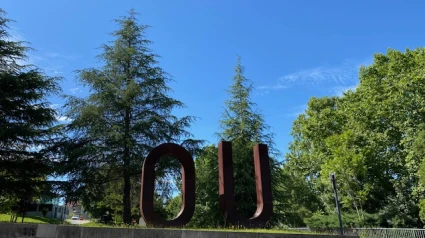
(127, 113)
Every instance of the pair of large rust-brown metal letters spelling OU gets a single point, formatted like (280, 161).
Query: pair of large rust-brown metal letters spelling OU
(226, 186)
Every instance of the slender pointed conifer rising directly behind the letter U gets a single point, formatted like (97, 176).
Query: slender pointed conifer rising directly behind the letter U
(244, 127)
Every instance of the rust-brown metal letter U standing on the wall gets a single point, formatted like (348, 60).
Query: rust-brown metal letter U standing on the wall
(262, 183)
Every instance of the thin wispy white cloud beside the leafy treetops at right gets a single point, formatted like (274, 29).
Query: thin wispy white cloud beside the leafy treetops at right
(333, 80)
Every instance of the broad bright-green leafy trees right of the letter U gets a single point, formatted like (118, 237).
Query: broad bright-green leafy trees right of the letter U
(372, 138)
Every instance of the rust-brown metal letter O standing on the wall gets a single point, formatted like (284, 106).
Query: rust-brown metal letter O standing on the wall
(148, 185)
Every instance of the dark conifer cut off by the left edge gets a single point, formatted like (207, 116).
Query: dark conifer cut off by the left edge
(26, 123)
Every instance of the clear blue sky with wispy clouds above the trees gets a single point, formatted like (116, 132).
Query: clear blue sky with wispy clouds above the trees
(292, 50)
